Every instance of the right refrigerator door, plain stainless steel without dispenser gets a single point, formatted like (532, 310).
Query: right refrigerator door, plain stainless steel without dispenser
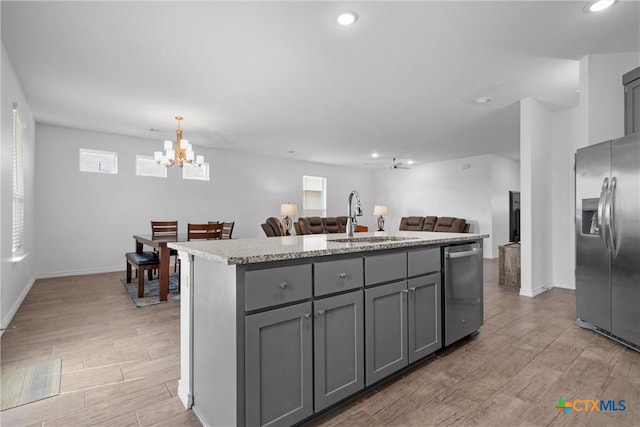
(624, 202)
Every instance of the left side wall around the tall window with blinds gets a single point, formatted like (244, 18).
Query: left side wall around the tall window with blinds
(17, 277)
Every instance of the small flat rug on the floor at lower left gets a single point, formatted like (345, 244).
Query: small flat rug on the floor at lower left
(35, 382)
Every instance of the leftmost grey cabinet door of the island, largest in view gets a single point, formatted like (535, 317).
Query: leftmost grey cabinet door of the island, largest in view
(278, 366)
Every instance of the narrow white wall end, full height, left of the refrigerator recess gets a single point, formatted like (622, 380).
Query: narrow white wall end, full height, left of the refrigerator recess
(535, 200)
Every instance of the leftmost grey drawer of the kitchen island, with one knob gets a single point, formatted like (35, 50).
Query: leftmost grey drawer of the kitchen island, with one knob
(273, 286)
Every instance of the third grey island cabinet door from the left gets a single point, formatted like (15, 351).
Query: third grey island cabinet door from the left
(386, 330)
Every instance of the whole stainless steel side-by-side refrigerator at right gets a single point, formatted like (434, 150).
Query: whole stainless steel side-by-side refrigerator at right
(608, 238)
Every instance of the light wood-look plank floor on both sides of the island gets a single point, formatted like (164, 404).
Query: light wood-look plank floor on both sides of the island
(120, 364)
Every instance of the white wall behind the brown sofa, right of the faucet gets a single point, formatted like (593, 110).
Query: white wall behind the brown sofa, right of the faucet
(469, 188)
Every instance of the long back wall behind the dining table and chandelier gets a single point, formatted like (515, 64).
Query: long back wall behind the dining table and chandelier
(85, 221)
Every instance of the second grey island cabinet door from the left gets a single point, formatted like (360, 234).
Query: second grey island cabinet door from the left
(338, 348)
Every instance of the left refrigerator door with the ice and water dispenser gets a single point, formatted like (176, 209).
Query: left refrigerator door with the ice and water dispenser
(593, 269)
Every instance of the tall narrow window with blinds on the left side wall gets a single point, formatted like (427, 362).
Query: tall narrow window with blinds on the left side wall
(18, 184)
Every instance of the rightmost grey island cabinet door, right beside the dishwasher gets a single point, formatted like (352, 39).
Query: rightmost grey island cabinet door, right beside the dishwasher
(425, 330)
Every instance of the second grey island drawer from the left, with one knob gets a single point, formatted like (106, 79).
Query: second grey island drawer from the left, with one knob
(335, 276)
